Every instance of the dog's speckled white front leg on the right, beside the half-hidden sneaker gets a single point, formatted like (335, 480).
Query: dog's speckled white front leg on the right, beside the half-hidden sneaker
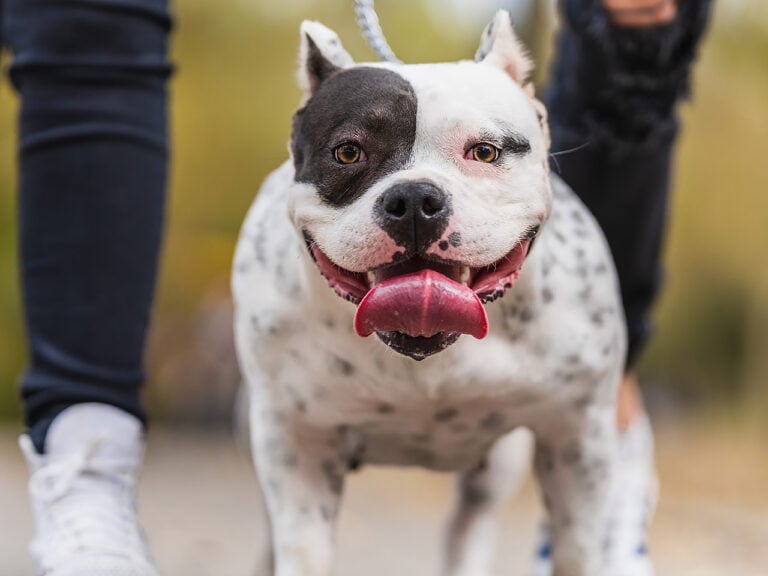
(574, 465)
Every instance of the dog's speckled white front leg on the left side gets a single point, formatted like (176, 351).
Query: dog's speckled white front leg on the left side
(301, 471)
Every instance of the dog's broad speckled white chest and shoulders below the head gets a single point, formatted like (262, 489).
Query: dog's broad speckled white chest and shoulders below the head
(553, 338)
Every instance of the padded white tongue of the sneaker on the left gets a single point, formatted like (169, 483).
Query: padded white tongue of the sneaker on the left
(119, 433)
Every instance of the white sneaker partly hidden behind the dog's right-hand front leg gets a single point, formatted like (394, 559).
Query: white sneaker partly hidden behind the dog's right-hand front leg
(632, 506)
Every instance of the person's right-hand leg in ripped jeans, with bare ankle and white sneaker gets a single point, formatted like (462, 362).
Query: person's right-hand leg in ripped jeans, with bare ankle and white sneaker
(621, 67)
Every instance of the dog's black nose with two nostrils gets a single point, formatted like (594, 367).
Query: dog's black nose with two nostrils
(414, 214)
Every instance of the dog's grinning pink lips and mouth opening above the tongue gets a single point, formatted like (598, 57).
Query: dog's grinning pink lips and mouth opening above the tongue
(488, 282)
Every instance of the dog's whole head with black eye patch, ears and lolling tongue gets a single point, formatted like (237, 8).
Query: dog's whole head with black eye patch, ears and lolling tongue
(419, 188)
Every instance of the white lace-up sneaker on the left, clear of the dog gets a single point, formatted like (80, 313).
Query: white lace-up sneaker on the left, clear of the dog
(82, 492)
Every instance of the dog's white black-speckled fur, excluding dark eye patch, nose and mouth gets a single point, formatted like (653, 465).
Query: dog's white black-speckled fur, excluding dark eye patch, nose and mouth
(322, 397)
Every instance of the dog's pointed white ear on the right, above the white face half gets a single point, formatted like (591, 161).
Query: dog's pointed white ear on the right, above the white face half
(500, 47)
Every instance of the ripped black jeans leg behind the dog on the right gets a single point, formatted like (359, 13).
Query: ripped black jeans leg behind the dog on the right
(611, 103)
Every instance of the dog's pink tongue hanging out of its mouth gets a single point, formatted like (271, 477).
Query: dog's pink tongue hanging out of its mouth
(421, 304)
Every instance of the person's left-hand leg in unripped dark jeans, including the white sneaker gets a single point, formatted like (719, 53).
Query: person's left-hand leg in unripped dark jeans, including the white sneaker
(93, 158)
